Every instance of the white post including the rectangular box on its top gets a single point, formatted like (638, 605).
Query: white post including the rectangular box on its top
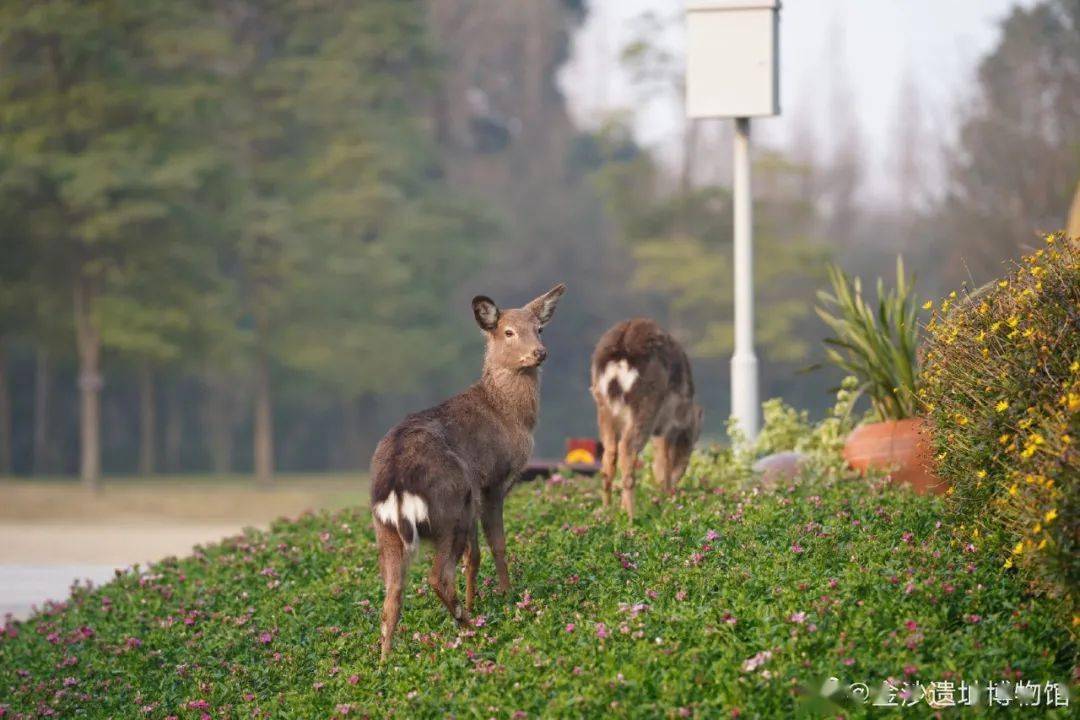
(733, 72)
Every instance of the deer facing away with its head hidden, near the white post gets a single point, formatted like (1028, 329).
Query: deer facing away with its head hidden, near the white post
(643, 388)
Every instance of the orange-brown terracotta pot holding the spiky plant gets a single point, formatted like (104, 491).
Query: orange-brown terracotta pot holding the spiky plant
(901, 447)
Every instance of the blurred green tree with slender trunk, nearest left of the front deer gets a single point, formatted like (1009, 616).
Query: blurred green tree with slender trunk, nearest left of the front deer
(327, 168)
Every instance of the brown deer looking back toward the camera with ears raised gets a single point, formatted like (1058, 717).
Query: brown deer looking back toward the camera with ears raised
(437, 471)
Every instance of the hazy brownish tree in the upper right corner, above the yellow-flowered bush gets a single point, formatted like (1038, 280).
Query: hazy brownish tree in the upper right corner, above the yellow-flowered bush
(1017, 159)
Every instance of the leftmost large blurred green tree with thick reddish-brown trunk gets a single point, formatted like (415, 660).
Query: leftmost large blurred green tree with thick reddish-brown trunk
(93, 138)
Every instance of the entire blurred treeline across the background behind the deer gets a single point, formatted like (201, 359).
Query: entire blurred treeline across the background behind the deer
(241, 236)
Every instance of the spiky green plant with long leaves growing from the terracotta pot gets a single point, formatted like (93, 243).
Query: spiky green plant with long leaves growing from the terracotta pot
(876, 345)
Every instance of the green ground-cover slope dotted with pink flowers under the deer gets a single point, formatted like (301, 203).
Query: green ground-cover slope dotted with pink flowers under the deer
(722, 604)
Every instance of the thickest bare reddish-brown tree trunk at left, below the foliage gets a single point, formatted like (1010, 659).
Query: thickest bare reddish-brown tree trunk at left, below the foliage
(89, 343)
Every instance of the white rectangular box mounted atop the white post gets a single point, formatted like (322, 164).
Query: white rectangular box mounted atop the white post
(733, 67)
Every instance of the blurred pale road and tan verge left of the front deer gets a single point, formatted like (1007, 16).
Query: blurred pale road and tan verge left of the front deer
(55, 532)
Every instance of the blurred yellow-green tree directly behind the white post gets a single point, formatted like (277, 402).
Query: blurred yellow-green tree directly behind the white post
(682, 246)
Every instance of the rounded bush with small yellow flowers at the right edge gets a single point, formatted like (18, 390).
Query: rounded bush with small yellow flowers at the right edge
(1003, 395)
